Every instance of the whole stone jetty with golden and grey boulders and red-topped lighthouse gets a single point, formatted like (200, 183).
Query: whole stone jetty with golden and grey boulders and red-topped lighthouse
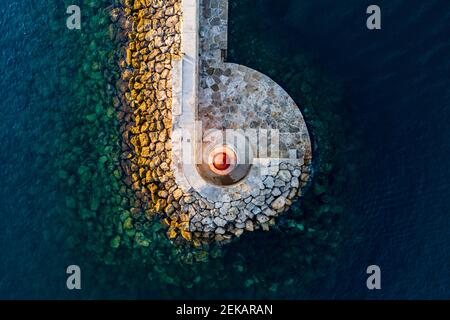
(216, 147)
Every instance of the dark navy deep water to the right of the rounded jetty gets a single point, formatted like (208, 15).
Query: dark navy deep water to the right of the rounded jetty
(398, 78)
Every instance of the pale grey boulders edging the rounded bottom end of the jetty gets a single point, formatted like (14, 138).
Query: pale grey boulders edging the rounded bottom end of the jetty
(248, 211)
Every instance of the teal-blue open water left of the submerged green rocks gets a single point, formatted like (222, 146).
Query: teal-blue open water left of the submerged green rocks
(29, 98)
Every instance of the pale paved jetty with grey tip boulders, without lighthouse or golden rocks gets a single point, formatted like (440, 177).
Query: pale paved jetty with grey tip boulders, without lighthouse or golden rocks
(209, 93)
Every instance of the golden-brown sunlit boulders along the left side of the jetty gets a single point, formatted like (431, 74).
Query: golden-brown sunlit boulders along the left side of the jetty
(152, 30)
